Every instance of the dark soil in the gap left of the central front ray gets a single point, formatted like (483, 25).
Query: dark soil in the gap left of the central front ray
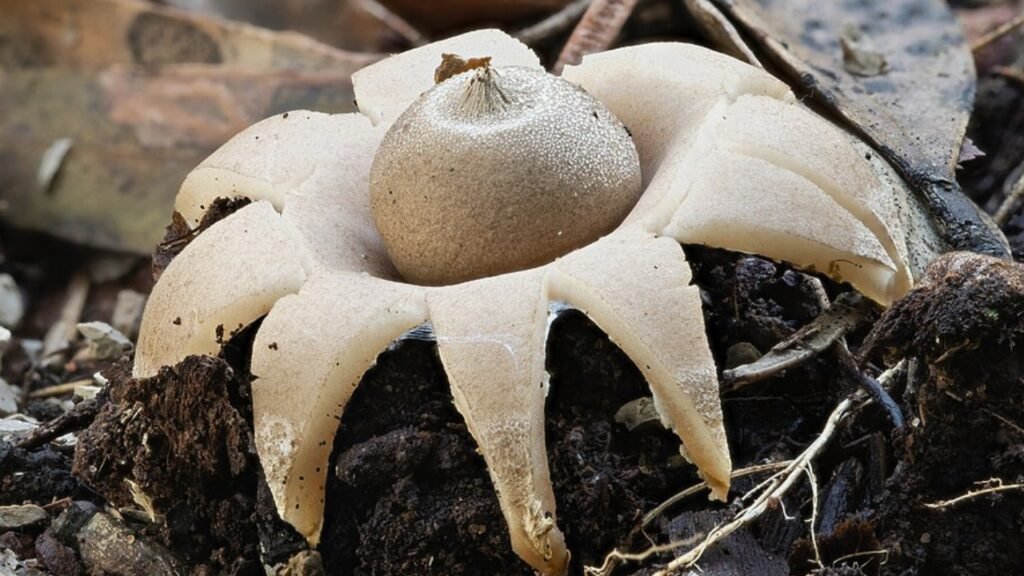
(412, 485)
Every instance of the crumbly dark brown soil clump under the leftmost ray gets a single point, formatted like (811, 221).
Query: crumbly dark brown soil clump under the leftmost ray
(201, 477)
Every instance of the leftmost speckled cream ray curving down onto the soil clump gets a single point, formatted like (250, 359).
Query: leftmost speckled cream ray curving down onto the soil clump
(229, 277)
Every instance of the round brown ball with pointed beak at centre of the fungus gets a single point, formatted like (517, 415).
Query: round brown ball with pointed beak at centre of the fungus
(492, 172)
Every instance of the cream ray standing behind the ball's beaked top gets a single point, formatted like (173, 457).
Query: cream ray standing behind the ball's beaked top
(385, 91)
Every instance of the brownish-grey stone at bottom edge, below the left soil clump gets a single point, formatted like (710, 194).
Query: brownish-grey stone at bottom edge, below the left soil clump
(109, 547)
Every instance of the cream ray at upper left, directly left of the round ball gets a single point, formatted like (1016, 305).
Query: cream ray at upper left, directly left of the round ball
(312, 167)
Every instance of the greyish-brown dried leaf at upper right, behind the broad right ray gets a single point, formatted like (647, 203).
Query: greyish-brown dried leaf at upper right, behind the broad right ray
(915, 109)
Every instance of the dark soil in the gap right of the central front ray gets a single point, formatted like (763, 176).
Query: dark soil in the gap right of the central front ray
(606, 477)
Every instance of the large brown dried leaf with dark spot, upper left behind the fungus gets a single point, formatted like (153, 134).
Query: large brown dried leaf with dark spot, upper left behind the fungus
(86, 71)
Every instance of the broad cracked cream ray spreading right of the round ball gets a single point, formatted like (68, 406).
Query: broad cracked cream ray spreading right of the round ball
(745, 110)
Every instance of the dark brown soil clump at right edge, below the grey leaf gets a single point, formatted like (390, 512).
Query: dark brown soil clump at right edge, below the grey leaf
(967, 327)
